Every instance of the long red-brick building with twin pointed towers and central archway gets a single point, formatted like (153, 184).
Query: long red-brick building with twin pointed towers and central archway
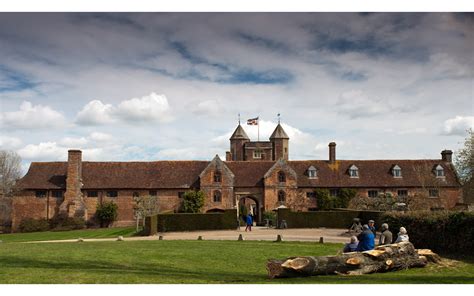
(259, 172)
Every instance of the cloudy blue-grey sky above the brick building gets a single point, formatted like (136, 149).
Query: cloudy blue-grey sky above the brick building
(170, 86)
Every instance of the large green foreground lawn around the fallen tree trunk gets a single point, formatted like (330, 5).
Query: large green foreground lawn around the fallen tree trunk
(172, 262)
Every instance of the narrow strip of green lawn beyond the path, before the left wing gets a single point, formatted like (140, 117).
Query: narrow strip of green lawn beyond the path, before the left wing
(59, 235)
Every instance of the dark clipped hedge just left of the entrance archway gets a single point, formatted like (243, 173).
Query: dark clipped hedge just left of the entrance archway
(190, 222)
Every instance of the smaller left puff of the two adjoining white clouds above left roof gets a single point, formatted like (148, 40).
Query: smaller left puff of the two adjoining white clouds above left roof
(95, 113)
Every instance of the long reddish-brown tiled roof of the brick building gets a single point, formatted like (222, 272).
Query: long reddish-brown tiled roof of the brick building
(185, 174)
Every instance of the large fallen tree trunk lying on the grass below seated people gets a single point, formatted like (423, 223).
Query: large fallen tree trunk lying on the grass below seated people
(381, 259)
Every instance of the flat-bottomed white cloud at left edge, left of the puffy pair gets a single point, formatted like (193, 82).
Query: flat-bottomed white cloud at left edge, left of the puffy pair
(32, 117)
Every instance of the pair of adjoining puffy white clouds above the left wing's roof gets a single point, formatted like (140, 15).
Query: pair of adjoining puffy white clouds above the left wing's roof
(145, 109)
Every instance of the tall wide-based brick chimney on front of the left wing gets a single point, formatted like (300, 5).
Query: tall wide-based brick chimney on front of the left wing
(73, 204)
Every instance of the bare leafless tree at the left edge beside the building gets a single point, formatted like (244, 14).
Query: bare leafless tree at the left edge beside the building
(10, 171)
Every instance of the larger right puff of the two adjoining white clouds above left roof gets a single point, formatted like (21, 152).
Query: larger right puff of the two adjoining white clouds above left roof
(148, 108)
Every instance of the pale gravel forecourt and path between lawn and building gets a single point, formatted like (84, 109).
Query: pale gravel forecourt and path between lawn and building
(257, 233)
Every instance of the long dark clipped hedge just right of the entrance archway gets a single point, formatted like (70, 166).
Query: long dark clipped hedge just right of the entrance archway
(337, 218)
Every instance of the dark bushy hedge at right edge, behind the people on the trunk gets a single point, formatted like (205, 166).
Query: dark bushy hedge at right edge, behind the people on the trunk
(443, 232)
